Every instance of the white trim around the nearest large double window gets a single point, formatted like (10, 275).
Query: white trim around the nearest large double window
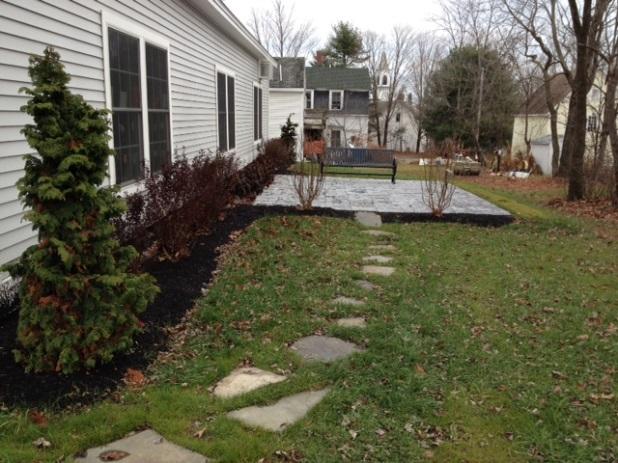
(145, 36)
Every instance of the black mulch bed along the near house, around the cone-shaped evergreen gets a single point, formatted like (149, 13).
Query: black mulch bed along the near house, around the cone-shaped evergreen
(180, 284)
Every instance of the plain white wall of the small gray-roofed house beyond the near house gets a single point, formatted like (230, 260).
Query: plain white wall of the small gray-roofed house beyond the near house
(282, 104)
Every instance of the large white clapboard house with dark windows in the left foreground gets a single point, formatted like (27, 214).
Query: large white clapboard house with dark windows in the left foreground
(178, 75)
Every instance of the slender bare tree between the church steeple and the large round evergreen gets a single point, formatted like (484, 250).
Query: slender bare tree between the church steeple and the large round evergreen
(427, 50)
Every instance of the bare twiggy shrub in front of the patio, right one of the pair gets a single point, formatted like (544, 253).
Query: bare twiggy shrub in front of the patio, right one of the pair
(437, 187)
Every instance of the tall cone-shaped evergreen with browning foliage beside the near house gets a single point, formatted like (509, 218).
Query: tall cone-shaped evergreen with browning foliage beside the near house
(79, 300)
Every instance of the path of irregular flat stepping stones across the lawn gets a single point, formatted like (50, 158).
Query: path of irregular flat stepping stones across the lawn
(149, 447)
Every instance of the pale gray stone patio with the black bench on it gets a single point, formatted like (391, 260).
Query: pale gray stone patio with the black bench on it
(375, 195)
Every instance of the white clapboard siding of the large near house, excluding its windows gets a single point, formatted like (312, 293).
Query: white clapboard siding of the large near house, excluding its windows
(74, 28)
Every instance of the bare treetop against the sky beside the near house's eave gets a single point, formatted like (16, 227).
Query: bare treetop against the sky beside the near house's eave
(277, 30)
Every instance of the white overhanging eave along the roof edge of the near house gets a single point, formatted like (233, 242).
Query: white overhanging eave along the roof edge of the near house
(219, 13)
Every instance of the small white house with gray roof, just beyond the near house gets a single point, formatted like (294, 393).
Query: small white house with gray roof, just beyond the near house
(287, 98)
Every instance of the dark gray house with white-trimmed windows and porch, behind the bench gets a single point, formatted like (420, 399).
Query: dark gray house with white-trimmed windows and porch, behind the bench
(337, 106)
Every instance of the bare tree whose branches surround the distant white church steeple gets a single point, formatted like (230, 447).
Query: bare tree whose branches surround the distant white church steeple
(396, 49)
